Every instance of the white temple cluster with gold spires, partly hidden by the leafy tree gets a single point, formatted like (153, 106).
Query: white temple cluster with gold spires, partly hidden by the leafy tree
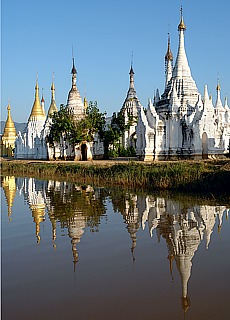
(33, 144)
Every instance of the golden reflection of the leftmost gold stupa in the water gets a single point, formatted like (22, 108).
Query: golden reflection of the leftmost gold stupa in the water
(9, 187)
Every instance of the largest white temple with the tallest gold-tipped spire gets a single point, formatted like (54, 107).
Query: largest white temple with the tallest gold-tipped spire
(181, 123)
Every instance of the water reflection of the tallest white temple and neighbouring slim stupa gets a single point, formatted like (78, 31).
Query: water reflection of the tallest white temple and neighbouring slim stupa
(182, 227)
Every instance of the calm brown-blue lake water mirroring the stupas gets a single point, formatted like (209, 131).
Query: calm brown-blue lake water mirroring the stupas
(77, 252)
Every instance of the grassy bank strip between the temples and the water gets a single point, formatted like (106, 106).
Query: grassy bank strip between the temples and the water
(200, 176)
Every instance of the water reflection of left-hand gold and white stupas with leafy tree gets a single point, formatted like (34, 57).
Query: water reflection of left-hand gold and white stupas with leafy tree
(66, 203)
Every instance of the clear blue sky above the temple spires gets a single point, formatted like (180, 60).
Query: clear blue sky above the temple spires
(37, 37)
